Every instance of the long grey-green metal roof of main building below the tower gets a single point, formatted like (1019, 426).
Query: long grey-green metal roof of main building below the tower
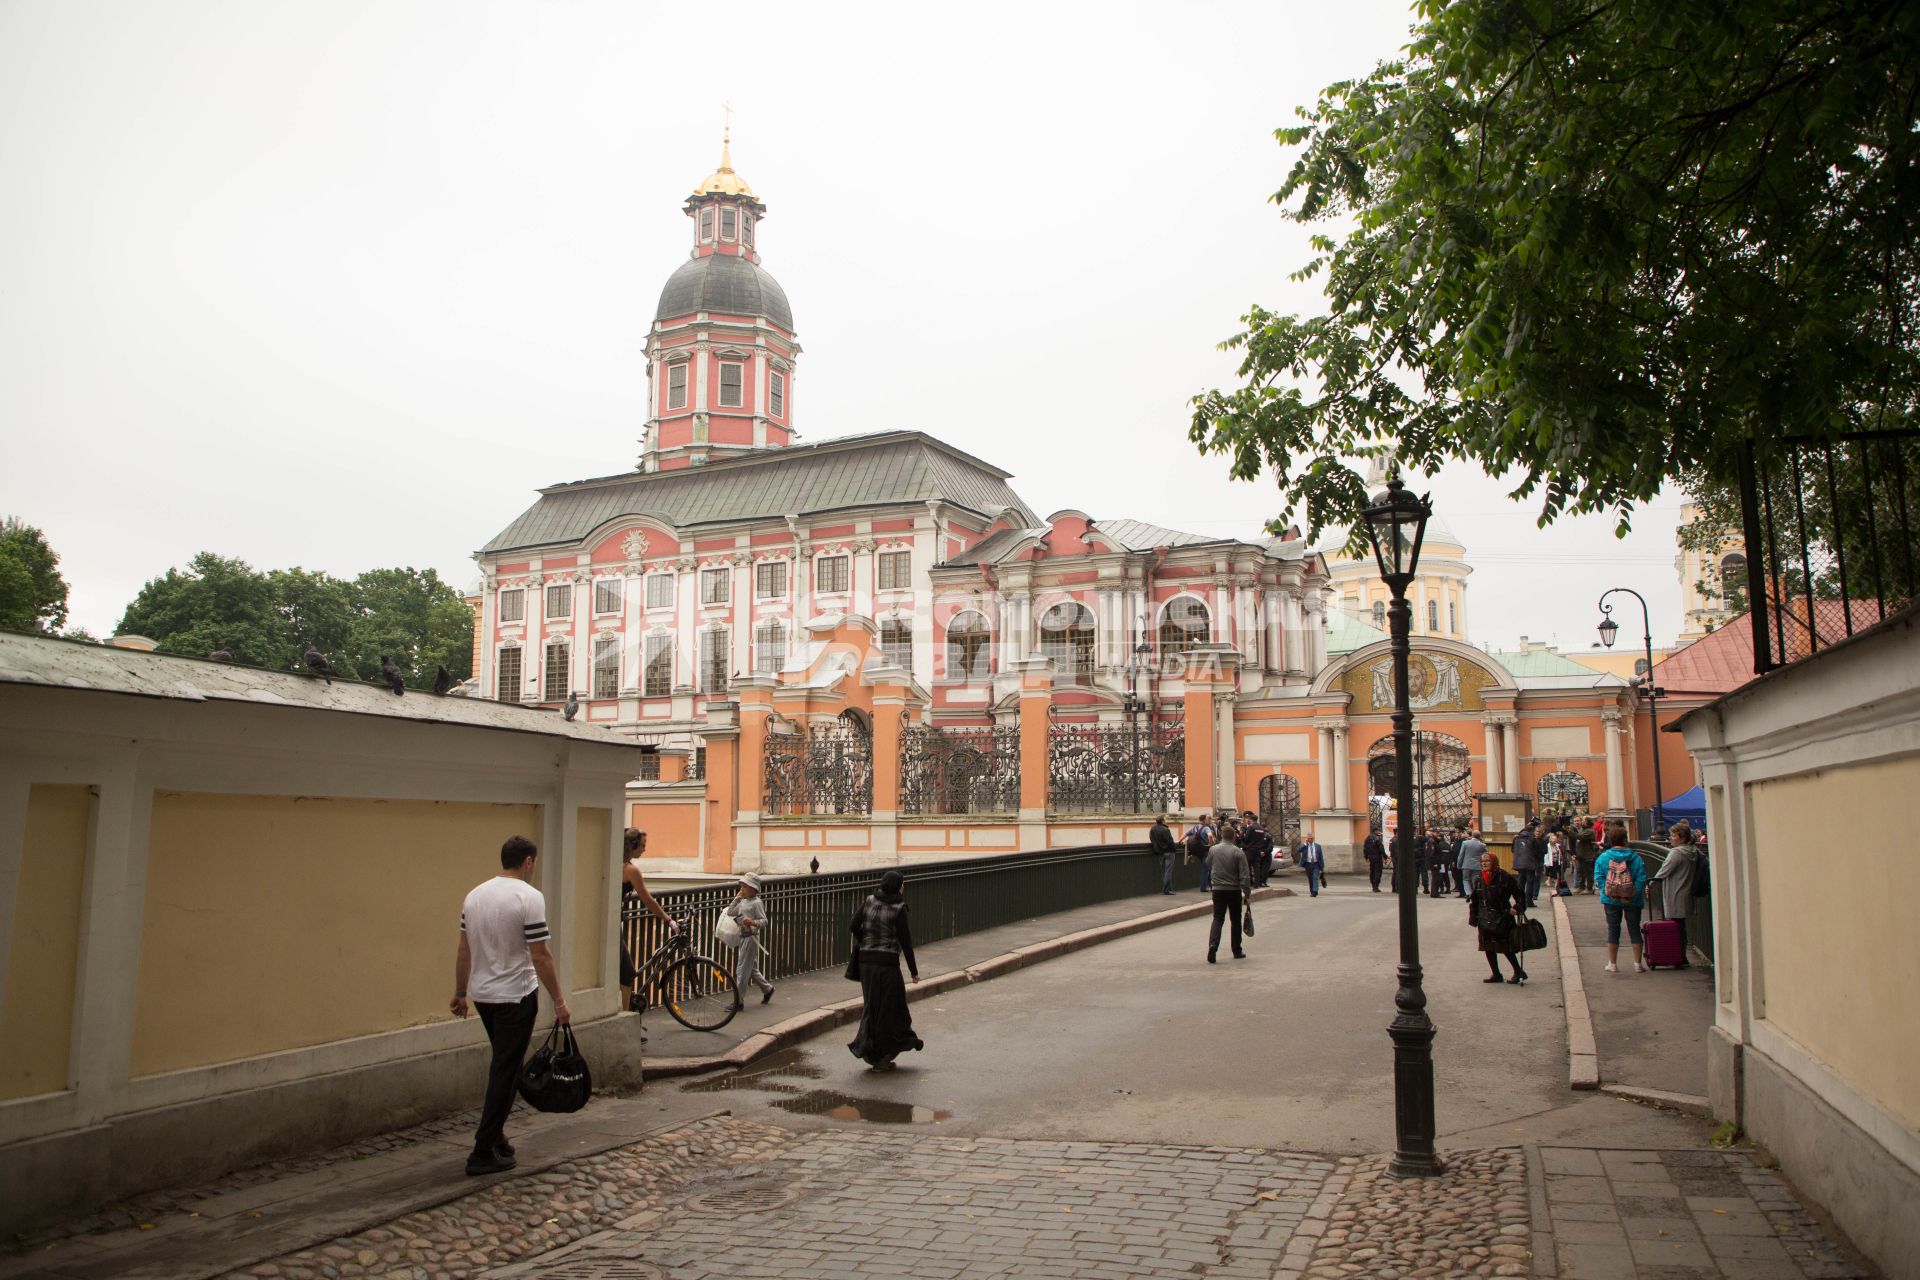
(888, 469)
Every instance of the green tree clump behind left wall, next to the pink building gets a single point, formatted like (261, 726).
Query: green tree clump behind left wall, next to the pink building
(270, 619)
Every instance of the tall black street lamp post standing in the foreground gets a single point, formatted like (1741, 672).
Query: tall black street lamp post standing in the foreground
(1397, 523)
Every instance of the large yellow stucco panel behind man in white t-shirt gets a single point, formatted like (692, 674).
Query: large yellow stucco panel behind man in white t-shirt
(283, 922)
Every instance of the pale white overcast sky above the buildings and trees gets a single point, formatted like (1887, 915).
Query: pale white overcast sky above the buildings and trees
(341, 285)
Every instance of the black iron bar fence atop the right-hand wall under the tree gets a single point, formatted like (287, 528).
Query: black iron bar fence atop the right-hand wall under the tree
(1829, 540)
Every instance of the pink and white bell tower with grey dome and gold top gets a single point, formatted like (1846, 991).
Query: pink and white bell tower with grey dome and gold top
(721, 356)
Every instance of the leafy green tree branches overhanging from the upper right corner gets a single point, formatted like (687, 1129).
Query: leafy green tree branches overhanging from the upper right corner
(1595, 245)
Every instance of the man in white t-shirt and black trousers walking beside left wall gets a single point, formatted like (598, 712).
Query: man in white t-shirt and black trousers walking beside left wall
(502, 966)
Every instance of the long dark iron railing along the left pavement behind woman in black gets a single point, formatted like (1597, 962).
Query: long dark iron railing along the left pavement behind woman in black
(809, 914)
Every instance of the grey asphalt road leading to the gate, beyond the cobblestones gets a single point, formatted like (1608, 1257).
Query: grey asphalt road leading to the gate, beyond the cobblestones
(1141, 1041)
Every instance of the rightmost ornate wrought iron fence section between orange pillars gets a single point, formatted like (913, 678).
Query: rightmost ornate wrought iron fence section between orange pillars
(1118, 769)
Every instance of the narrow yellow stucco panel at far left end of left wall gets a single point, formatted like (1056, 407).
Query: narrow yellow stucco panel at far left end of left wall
(43, 960)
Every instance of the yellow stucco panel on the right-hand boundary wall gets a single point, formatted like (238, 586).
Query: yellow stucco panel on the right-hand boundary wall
(1838, 949)
